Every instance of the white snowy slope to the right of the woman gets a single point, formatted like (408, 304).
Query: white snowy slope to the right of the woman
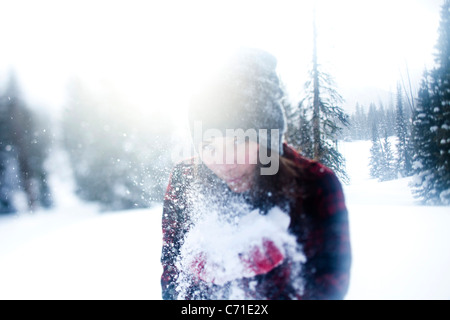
(401, 249)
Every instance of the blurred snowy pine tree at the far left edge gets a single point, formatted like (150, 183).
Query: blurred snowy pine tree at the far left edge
(25, 146)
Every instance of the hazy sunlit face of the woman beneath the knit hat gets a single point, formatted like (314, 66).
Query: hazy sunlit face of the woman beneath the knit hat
(231, 160)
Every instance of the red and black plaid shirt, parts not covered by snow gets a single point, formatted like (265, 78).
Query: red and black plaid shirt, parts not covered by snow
(319, 221)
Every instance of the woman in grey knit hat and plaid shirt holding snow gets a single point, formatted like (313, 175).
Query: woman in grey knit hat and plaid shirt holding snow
(250, 218)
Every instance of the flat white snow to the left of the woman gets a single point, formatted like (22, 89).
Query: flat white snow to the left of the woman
(103, 256)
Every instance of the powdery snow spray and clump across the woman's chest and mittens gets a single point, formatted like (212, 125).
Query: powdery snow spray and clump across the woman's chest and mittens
(229, 243)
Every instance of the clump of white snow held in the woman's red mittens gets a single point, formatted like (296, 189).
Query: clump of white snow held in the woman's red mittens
(217, 250)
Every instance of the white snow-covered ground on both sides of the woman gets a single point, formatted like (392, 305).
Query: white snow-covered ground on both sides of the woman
(400, 250)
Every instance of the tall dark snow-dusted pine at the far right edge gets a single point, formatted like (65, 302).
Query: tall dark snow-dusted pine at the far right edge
(431, 126)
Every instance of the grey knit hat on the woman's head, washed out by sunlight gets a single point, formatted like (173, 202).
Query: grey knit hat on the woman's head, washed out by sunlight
(245, 94)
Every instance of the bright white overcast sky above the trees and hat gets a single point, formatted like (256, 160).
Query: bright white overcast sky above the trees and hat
(157, 52)
